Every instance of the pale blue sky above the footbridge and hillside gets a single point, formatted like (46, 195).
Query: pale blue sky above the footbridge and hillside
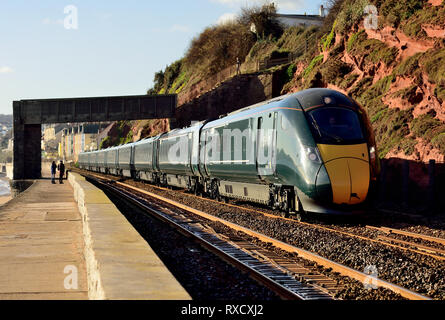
(88, 48)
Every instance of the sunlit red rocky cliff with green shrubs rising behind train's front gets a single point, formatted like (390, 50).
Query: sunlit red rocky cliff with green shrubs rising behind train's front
(397, 74)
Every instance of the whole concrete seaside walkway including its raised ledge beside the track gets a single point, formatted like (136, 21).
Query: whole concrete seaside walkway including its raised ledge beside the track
(54, 236)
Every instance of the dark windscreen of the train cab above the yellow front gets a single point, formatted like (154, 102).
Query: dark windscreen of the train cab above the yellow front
(336, 125)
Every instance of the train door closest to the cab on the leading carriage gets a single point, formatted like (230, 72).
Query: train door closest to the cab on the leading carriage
(266, 145)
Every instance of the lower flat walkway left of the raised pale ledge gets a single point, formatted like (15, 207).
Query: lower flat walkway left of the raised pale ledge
(41, 245)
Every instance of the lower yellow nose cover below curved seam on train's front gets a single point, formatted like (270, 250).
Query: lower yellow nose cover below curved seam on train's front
(349, 180)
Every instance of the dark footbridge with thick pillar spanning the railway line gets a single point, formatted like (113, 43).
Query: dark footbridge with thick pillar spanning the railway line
(29, 115)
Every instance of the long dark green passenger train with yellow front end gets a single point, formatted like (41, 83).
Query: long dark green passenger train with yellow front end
(313, 151)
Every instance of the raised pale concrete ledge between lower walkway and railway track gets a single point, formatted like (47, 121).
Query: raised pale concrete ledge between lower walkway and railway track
(121, 265)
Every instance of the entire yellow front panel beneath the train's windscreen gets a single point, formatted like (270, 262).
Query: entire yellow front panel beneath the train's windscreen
(349, 171)
